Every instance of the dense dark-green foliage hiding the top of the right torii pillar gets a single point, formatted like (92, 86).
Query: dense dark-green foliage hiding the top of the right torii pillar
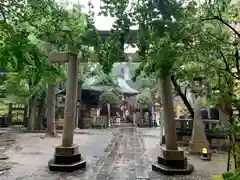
(162, 22)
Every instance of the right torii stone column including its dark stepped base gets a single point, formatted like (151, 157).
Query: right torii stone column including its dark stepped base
(171, 159)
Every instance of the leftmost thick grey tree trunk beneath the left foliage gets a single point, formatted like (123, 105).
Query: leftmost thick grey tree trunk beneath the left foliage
(32, 114)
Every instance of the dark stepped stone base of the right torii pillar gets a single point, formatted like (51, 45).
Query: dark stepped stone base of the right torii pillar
(172, 162)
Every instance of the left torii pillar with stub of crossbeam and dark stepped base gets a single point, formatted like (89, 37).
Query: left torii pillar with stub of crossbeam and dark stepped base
(67, 157)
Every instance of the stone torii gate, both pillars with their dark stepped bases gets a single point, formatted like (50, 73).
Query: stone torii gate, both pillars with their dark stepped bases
(67, 157)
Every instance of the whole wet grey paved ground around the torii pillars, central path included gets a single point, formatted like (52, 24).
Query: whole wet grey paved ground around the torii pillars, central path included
(116, 154)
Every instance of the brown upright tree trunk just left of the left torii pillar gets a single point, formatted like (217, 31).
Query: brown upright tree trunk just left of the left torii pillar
(51, 103)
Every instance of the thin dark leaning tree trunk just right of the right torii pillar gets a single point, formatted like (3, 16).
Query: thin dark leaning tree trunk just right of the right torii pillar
(183, 96)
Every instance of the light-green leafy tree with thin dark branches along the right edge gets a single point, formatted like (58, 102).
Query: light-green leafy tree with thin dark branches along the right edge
(214, 57)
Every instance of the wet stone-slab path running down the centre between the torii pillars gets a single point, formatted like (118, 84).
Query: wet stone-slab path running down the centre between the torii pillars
(124, 157)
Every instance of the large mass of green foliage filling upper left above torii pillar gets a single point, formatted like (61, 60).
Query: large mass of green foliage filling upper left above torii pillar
(24, 35)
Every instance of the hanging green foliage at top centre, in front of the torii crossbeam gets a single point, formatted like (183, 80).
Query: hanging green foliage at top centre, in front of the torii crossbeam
(112, 50)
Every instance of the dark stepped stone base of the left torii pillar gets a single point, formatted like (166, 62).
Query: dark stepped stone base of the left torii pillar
(66, 159)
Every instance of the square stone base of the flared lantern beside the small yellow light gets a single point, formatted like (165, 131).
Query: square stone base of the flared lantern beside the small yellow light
(195, 148)
